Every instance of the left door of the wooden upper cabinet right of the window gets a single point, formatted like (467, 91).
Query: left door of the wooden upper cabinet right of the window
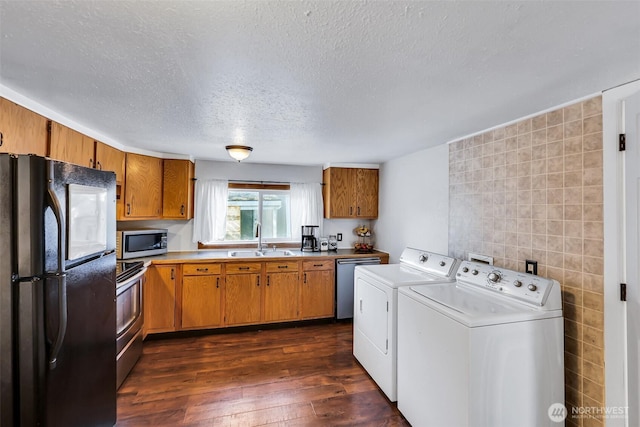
(339, 192)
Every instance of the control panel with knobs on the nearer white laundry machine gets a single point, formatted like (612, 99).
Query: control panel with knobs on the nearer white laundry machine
(514, 284)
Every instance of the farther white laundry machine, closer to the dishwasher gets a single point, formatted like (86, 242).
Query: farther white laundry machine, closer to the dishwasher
(375, 309)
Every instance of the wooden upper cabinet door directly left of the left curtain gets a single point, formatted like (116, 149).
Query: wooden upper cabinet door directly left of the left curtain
(177, 198)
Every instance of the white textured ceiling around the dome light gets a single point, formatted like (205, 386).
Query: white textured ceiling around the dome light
(310, 82)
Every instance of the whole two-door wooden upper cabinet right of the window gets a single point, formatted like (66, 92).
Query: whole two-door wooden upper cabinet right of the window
(350, 193)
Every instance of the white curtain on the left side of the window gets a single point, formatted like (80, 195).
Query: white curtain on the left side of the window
(210, 216)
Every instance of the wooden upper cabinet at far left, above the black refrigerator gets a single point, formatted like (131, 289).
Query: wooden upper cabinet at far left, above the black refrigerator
(21, 130)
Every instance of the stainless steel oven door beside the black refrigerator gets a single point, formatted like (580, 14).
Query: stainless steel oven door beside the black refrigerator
(129, 314)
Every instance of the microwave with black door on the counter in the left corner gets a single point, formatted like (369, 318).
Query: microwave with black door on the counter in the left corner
(141, 243)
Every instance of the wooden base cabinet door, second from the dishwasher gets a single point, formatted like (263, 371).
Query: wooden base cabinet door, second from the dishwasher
(281, 297)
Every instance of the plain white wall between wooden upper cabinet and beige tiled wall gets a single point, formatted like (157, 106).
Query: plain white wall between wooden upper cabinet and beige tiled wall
(414, 203)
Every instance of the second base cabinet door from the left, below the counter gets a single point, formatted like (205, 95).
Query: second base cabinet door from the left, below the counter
(201, 301)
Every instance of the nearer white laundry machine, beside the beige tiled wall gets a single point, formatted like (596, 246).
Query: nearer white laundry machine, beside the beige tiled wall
(485, 352)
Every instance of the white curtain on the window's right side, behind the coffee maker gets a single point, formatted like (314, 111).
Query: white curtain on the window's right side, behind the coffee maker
(306, 207)
